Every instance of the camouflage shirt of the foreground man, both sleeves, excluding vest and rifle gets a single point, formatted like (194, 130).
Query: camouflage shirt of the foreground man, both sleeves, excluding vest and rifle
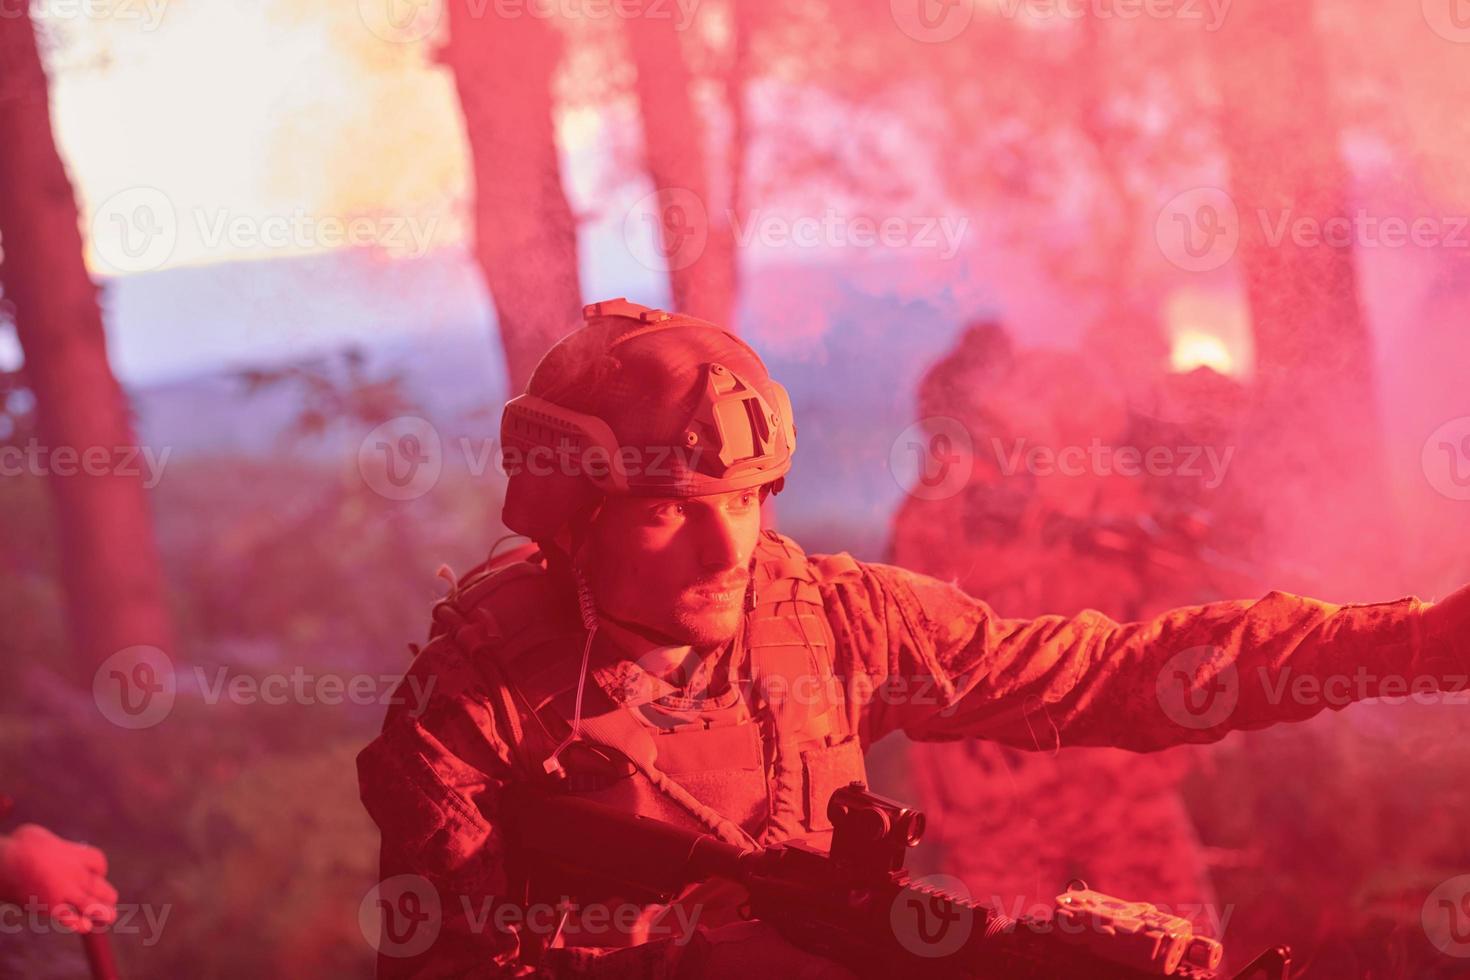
(921, 656)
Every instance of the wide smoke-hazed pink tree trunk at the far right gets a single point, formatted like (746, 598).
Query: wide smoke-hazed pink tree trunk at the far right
(1316, 440)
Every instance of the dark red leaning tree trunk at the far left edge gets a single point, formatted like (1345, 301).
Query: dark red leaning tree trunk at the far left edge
(111, 571)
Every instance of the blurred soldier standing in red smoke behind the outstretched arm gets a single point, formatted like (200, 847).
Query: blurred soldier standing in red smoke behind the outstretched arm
(1046, 537)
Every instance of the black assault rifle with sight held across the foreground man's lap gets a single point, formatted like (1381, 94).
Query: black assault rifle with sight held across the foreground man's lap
(859, 907)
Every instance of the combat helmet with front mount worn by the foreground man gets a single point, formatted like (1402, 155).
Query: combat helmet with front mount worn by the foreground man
(646, 403)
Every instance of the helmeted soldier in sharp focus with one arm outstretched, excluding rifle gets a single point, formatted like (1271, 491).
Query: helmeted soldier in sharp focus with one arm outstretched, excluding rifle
(662, 653)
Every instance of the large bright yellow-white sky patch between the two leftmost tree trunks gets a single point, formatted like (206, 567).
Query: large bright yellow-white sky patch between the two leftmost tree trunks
(204, 131)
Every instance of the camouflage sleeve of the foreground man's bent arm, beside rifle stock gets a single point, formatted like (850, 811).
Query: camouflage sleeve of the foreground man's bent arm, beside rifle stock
(442, 907)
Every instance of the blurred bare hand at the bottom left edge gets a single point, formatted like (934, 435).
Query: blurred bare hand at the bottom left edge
(67, 879)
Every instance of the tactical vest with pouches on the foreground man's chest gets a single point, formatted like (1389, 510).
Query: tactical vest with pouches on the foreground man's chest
(767, 760)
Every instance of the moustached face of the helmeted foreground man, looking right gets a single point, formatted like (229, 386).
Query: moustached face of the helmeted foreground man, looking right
(677, 565)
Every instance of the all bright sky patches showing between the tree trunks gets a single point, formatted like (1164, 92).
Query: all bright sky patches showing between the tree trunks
(201, 133)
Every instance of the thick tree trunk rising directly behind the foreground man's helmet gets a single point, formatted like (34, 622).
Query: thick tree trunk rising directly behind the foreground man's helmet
(526, 237)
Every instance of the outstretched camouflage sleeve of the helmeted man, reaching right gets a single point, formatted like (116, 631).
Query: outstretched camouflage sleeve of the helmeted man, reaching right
(922, 657)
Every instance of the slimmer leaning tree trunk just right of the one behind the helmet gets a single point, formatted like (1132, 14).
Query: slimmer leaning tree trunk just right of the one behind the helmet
(695, 228)
